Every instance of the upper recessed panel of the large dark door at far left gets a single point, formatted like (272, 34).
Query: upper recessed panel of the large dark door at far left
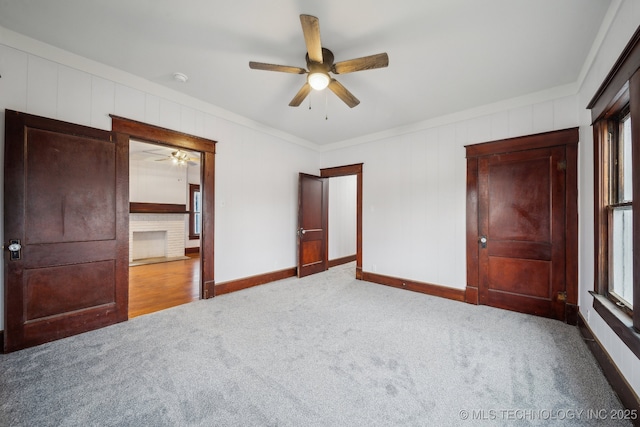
(79, 204)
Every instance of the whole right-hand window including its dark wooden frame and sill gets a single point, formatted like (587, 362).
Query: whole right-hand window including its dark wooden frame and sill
(615, 111)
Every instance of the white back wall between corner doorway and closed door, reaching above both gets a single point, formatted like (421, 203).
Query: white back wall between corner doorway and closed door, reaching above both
(414, 189)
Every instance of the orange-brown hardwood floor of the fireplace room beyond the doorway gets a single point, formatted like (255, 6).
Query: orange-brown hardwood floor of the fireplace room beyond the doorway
(154, 287)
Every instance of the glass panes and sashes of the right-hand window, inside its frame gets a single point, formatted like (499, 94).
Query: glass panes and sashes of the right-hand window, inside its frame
(619, 206)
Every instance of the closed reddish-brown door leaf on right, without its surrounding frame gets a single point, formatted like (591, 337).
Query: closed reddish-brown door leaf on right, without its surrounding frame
(521, 225)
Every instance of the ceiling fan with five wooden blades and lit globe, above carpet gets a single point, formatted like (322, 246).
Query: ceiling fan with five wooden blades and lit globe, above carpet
(320, 64)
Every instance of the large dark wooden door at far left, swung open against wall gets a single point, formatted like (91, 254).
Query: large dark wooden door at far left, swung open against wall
(66, 202)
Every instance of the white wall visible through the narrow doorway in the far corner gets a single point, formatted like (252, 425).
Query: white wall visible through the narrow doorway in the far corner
(342, 216)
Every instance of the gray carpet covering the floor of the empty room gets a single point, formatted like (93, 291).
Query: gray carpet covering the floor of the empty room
(326, 350)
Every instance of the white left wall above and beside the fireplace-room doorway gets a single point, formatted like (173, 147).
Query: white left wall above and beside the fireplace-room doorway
(256, 171)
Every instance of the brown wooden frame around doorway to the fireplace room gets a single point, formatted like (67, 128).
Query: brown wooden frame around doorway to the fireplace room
(167, 137)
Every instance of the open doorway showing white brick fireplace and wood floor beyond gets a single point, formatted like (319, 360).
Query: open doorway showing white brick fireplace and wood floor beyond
(164, 227)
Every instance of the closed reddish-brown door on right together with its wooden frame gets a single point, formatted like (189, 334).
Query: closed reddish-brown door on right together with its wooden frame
(522, 224)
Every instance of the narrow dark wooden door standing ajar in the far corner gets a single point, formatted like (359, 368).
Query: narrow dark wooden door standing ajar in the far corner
(312, 224)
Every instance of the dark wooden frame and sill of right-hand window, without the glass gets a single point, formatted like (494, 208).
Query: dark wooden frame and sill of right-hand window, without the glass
(621, 88)
